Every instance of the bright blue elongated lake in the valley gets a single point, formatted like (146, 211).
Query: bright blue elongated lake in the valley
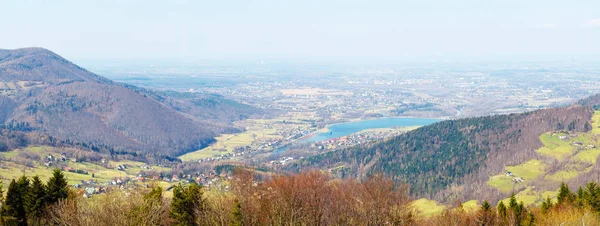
(345, 129)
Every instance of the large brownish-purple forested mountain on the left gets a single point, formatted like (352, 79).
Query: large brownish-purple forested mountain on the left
(41, 93)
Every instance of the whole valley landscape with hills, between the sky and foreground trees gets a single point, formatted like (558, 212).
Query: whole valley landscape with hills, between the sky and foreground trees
(110, 137)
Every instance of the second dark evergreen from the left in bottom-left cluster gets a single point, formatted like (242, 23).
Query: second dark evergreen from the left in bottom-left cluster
(36, 199)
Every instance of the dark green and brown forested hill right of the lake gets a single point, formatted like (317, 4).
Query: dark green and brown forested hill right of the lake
(432, 158)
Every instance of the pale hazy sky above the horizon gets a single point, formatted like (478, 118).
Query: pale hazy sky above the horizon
(301, 29)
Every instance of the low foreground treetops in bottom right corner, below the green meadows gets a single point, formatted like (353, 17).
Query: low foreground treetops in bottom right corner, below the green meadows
(581, 207)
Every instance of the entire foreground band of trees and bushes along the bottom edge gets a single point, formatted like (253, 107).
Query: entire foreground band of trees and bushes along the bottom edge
(307, 198)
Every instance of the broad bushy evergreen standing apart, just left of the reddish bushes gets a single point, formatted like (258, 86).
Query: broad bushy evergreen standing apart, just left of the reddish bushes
(186, 204)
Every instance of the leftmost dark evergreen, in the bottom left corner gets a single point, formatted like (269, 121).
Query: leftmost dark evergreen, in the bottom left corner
(13, 210)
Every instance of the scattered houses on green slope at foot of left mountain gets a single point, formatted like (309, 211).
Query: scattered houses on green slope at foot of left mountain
(92, 177)
